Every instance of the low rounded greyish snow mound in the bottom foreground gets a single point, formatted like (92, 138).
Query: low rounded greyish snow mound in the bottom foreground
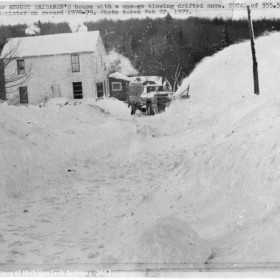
(166, 240)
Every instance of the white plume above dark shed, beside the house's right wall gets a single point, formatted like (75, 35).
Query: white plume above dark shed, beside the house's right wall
(119, 63)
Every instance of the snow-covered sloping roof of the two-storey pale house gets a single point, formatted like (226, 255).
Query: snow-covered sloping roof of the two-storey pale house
(63, 43)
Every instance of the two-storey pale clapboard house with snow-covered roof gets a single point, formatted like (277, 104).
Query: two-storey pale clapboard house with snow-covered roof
(68, 65)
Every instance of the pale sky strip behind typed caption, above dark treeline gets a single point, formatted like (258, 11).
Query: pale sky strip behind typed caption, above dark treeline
(230, 10)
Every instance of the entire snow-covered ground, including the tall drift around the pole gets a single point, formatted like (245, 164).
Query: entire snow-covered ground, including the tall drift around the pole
(84, 182)
